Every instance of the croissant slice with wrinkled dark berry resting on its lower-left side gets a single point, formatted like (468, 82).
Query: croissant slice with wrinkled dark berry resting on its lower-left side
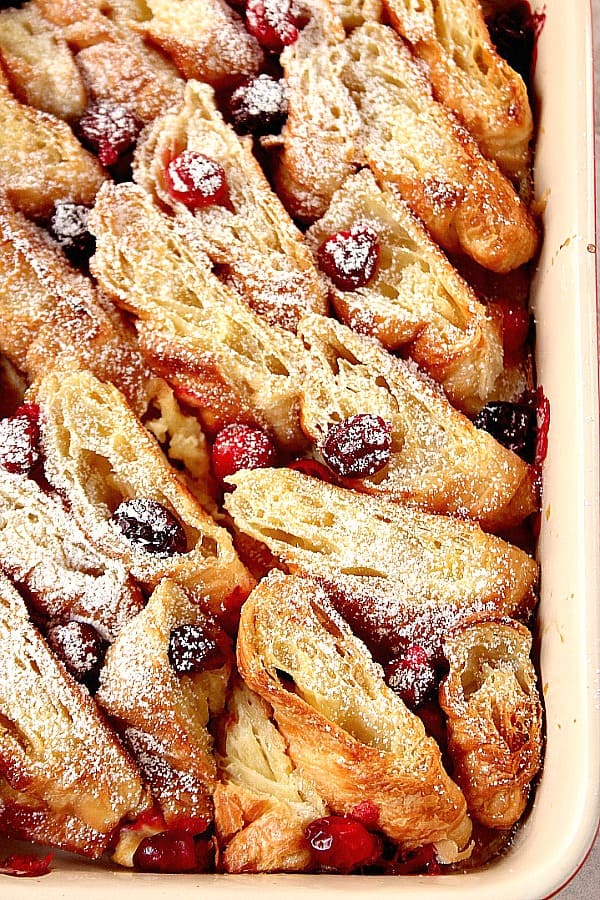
(438, 461)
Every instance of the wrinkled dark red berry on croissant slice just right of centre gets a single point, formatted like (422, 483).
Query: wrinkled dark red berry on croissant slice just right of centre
(359, 446)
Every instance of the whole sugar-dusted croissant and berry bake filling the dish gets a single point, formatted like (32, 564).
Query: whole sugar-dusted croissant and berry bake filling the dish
(271, 443)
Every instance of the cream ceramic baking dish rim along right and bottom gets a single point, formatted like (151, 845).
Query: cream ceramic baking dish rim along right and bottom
(558, 831)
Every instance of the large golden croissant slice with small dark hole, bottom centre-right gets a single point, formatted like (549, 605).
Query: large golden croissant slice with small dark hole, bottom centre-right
(344, 728)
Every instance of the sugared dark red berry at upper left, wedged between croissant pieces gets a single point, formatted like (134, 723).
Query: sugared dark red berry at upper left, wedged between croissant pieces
(109, 129)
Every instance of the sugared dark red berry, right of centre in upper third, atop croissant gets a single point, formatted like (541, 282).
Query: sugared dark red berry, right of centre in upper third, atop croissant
(350, 257)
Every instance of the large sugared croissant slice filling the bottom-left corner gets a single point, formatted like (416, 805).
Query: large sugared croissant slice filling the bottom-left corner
(64, 777)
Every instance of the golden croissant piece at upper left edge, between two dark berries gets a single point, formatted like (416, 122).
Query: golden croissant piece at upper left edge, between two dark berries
(41, 161)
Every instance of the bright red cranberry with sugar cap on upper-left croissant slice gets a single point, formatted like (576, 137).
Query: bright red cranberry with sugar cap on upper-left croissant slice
(197, 180)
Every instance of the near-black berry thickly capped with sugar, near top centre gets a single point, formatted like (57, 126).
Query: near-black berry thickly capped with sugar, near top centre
(258, 106)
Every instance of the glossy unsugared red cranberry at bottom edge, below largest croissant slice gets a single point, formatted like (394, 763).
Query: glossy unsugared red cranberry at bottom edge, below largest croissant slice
(342, 843)
